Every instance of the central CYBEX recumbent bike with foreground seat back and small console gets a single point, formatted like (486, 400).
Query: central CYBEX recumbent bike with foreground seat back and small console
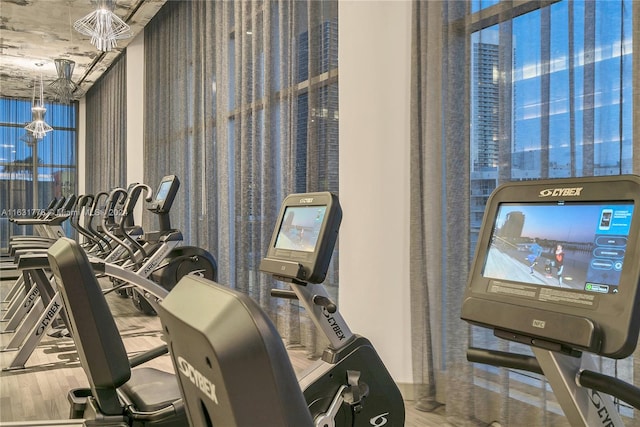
(232, 366)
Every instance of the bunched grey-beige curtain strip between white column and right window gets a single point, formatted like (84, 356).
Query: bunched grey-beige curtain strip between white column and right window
(439, 251)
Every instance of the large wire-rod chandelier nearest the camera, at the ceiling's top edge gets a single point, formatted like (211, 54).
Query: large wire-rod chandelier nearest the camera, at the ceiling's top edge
(103, 26)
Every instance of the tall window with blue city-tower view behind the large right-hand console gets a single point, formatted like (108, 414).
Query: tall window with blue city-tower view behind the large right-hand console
(551, 96)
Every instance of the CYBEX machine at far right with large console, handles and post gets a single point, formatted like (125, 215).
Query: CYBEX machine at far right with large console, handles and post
(557, 268)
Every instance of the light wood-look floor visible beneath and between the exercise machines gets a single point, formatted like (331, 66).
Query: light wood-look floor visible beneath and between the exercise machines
(39, 391)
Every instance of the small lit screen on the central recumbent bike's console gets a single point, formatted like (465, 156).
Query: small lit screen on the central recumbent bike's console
(300, 228)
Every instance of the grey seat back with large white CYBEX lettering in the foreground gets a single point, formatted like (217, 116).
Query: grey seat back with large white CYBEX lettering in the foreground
(231, 363)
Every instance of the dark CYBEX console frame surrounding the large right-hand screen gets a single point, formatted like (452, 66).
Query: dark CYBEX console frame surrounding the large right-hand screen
(609, 324)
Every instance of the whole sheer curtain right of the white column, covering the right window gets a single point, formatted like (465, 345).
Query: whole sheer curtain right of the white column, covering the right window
(501, 91)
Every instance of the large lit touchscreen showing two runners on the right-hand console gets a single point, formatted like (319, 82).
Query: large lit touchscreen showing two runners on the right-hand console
(567, 245)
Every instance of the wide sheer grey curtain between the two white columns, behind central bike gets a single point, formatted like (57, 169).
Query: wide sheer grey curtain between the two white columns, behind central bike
(242, 107)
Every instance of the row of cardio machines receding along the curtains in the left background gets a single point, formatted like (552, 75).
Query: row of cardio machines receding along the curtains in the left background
(136, 261)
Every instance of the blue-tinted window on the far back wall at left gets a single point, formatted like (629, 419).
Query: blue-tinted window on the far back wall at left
(32, 172)
